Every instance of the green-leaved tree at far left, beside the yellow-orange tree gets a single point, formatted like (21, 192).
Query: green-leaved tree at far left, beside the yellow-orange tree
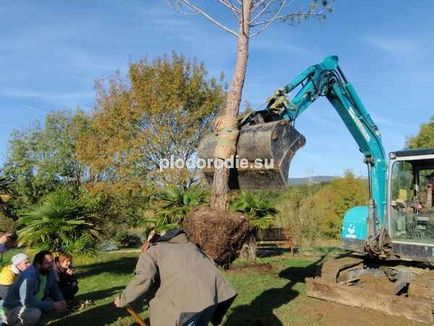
(42, 158)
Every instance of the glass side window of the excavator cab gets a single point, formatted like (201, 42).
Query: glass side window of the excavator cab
(411, 201)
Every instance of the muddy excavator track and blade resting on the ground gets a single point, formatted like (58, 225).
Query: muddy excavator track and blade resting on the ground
(351, 281)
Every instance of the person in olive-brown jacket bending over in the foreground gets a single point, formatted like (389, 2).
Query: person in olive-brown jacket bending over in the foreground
(191, 291)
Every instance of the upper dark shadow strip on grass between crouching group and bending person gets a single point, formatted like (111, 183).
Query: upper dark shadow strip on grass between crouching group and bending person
(122, 265)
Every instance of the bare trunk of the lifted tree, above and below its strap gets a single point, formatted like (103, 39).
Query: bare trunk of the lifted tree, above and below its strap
(220, 188)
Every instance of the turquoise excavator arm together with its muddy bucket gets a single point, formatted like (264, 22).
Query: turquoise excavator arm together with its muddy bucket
(268, 136)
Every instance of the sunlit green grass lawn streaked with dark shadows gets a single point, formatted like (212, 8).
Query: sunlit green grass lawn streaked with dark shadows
(269, 290)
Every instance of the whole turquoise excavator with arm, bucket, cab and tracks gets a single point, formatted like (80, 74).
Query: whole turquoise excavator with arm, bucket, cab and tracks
(389, 242)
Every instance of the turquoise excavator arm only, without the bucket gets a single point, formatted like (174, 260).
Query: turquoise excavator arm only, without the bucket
(326, 79)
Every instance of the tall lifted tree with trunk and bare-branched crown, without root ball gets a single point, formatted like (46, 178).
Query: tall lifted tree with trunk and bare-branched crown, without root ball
(251, 18)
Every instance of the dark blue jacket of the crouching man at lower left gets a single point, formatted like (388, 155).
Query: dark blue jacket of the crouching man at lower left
(23, 291)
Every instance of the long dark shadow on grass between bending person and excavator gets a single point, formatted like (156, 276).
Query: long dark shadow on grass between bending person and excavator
(260, 311)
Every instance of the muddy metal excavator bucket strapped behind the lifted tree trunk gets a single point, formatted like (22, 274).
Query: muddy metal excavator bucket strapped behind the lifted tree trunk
(264, 153)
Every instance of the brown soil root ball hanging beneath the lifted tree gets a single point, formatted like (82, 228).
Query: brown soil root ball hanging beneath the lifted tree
(219, 233)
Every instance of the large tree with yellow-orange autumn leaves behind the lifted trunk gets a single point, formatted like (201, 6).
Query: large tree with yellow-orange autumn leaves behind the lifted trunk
(161, 111)
